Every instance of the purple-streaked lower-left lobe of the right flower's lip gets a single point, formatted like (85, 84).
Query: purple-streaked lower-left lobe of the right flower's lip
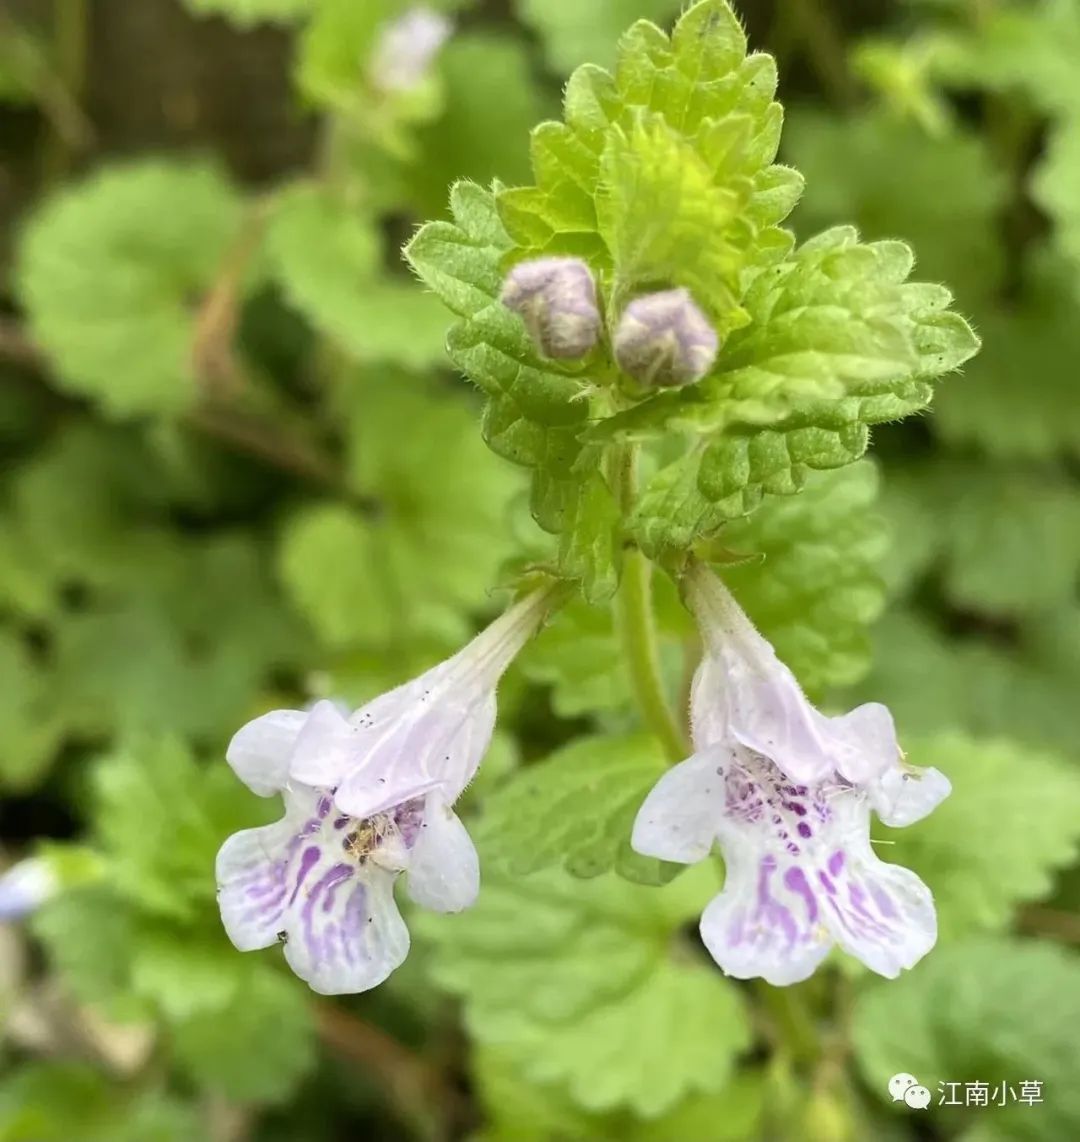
(764, 923)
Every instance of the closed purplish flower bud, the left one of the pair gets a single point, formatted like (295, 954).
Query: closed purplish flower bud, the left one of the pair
(557, 299)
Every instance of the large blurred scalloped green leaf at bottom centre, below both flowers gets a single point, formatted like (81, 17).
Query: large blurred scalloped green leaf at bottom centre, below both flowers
(561, 976)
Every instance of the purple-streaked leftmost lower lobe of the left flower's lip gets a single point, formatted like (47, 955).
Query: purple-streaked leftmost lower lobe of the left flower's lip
(253, 880)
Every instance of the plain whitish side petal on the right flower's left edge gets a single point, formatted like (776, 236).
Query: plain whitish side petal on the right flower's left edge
(679, 819)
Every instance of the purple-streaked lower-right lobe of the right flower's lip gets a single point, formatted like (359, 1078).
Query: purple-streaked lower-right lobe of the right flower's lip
(882, 914)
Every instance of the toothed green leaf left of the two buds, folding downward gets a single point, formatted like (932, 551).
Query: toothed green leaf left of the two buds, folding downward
(535, 415)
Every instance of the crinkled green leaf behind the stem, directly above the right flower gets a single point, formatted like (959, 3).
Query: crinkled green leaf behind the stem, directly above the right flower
(817, 588)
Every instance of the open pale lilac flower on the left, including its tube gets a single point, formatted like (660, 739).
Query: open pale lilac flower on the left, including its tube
(367, 798)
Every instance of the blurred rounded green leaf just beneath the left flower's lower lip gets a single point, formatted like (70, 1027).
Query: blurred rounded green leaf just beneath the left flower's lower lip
(260, 1049)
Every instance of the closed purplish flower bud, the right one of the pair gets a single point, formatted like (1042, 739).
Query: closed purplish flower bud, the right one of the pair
(666, 340)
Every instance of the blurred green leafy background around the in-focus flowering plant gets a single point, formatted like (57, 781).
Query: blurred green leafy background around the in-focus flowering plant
(239, 475)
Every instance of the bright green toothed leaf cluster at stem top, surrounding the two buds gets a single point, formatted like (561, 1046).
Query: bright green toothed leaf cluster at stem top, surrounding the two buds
(663, 175)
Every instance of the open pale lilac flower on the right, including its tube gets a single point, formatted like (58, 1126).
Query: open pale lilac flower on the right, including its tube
(788, 794)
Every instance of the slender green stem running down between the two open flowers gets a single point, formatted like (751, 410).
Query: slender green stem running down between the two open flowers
(638, 625)
